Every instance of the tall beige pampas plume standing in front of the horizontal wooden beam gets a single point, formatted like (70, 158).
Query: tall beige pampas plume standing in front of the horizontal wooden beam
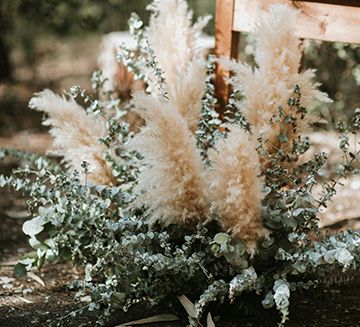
(271, 84)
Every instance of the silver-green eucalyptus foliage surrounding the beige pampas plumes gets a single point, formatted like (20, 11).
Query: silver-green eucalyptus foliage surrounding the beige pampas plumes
(127, 261)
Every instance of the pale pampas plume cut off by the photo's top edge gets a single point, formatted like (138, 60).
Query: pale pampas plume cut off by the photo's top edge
(176, 48)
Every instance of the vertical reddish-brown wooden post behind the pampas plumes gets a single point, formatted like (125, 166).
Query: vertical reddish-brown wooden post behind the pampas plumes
(226, 46)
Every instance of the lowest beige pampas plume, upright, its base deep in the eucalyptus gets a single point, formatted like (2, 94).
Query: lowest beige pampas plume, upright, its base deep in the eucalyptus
(236, 188)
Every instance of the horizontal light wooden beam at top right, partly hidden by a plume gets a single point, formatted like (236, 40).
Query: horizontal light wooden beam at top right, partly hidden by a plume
(322, 20)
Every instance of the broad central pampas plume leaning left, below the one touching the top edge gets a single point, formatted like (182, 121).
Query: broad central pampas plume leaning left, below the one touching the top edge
(171, 183)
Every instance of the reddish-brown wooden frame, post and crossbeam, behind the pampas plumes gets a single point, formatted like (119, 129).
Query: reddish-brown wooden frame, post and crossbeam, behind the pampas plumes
(328, 20)
